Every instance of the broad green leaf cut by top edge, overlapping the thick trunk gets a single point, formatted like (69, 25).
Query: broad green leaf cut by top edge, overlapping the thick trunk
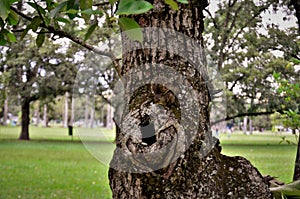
(128, 7)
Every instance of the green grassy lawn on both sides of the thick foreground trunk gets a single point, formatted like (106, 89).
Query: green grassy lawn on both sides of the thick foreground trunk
(53, 166)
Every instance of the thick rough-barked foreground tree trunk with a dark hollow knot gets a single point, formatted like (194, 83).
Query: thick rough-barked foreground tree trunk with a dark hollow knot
(160, 152)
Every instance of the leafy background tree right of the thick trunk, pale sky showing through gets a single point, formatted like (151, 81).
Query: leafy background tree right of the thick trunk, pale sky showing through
(240, 46)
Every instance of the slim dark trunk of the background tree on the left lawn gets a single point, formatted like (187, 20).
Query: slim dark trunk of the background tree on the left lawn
(25, 120)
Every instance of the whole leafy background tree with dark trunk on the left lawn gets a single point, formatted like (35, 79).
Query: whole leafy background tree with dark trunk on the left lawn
(36, 73)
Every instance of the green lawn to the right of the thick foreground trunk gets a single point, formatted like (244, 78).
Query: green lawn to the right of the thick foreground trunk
(264, 152)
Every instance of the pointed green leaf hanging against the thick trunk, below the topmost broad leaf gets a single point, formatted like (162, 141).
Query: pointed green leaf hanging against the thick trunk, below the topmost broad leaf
(132, 28)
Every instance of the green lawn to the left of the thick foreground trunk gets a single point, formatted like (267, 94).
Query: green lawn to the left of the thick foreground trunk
(53, 168)
